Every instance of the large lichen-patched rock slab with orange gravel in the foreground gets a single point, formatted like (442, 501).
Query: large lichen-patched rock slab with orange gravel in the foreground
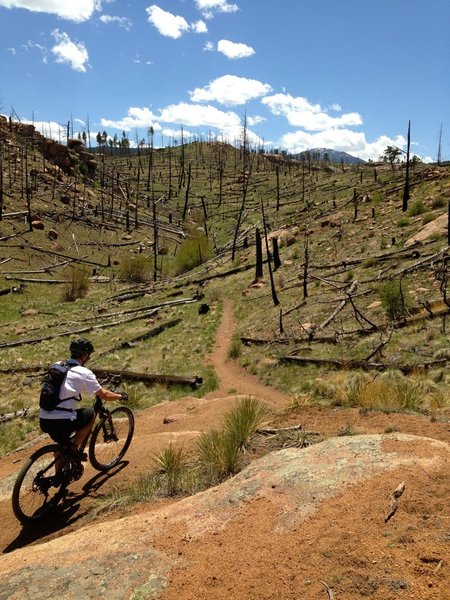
(275, 530)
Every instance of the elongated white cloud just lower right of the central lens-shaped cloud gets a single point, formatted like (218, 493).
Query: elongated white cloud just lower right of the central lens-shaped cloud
(301, 113)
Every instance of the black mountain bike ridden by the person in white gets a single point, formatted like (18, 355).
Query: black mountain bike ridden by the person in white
(40, 486)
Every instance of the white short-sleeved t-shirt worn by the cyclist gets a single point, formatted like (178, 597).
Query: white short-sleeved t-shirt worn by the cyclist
(79, 380)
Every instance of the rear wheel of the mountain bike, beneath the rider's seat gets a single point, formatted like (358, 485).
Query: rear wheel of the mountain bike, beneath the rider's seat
(33, 497)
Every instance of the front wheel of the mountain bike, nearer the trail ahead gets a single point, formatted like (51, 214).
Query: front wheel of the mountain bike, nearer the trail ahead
(111, 438)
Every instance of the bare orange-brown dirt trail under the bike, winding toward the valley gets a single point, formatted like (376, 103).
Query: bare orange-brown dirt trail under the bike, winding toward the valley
(182, 420)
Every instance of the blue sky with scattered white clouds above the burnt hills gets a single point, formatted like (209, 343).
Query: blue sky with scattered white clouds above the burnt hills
(345, 75)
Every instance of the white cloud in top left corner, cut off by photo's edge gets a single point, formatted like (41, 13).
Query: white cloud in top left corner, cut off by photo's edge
(72, 10)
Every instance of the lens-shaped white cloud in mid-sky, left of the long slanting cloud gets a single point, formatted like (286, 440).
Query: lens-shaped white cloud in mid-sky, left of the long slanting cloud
(230, 90)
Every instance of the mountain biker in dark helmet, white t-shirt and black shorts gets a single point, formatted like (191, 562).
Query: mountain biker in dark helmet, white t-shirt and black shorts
(67, 418)
